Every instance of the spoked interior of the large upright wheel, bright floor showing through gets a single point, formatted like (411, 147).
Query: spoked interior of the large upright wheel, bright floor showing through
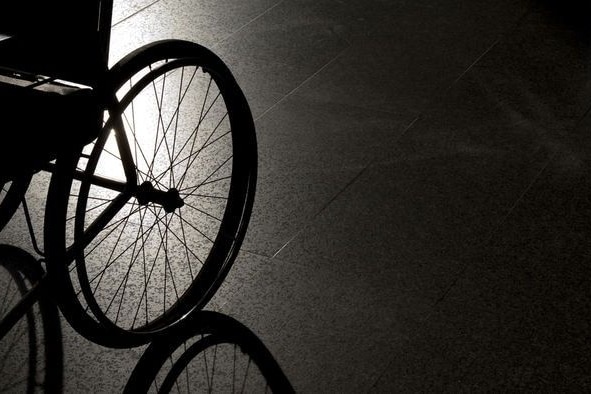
(149, 274)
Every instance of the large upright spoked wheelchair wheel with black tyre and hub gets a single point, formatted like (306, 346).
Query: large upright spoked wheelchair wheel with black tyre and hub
(151, 225)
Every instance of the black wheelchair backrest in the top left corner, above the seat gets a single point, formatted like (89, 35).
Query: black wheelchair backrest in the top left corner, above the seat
(67, 38)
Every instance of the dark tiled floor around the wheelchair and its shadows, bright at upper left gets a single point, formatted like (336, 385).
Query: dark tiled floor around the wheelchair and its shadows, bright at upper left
(422, 213)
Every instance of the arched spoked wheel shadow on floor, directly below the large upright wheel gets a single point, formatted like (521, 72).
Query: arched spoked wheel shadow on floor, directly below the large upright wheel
(213, 354)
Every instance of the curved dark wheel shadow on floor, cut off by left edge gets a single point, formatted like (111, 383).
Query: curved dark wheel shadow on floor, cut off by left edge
(31, 351)
